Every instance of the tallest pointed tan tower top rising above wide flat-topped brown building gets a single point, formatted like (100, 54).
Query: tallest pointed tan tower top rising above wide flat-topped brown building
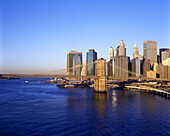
(121, 50)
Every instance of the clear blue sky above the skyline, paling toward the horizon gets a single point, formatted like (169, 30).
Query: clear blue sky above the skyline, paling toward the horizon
(37, 34)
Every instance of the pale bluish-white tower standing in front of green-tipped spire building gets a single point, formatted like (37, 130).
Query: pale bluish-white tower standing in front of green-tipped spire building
(136, 67)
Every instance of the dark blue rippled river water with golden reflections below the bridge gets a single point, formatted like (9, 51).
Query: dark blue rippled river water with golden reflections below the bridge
(38, 109)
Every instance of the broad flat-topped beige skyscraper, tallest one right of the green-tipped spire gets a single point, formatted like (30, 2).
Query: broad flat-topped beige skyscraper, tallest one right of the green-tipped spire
(150, 51)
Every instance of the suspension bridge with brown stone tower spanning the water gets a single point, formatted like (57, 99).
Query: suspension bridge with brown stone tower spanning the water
(100, 78)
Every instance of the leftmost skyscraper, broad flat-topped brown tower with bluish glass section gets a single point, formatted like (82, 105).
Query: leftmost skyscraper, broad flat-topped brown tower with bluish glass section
(72, 61)
